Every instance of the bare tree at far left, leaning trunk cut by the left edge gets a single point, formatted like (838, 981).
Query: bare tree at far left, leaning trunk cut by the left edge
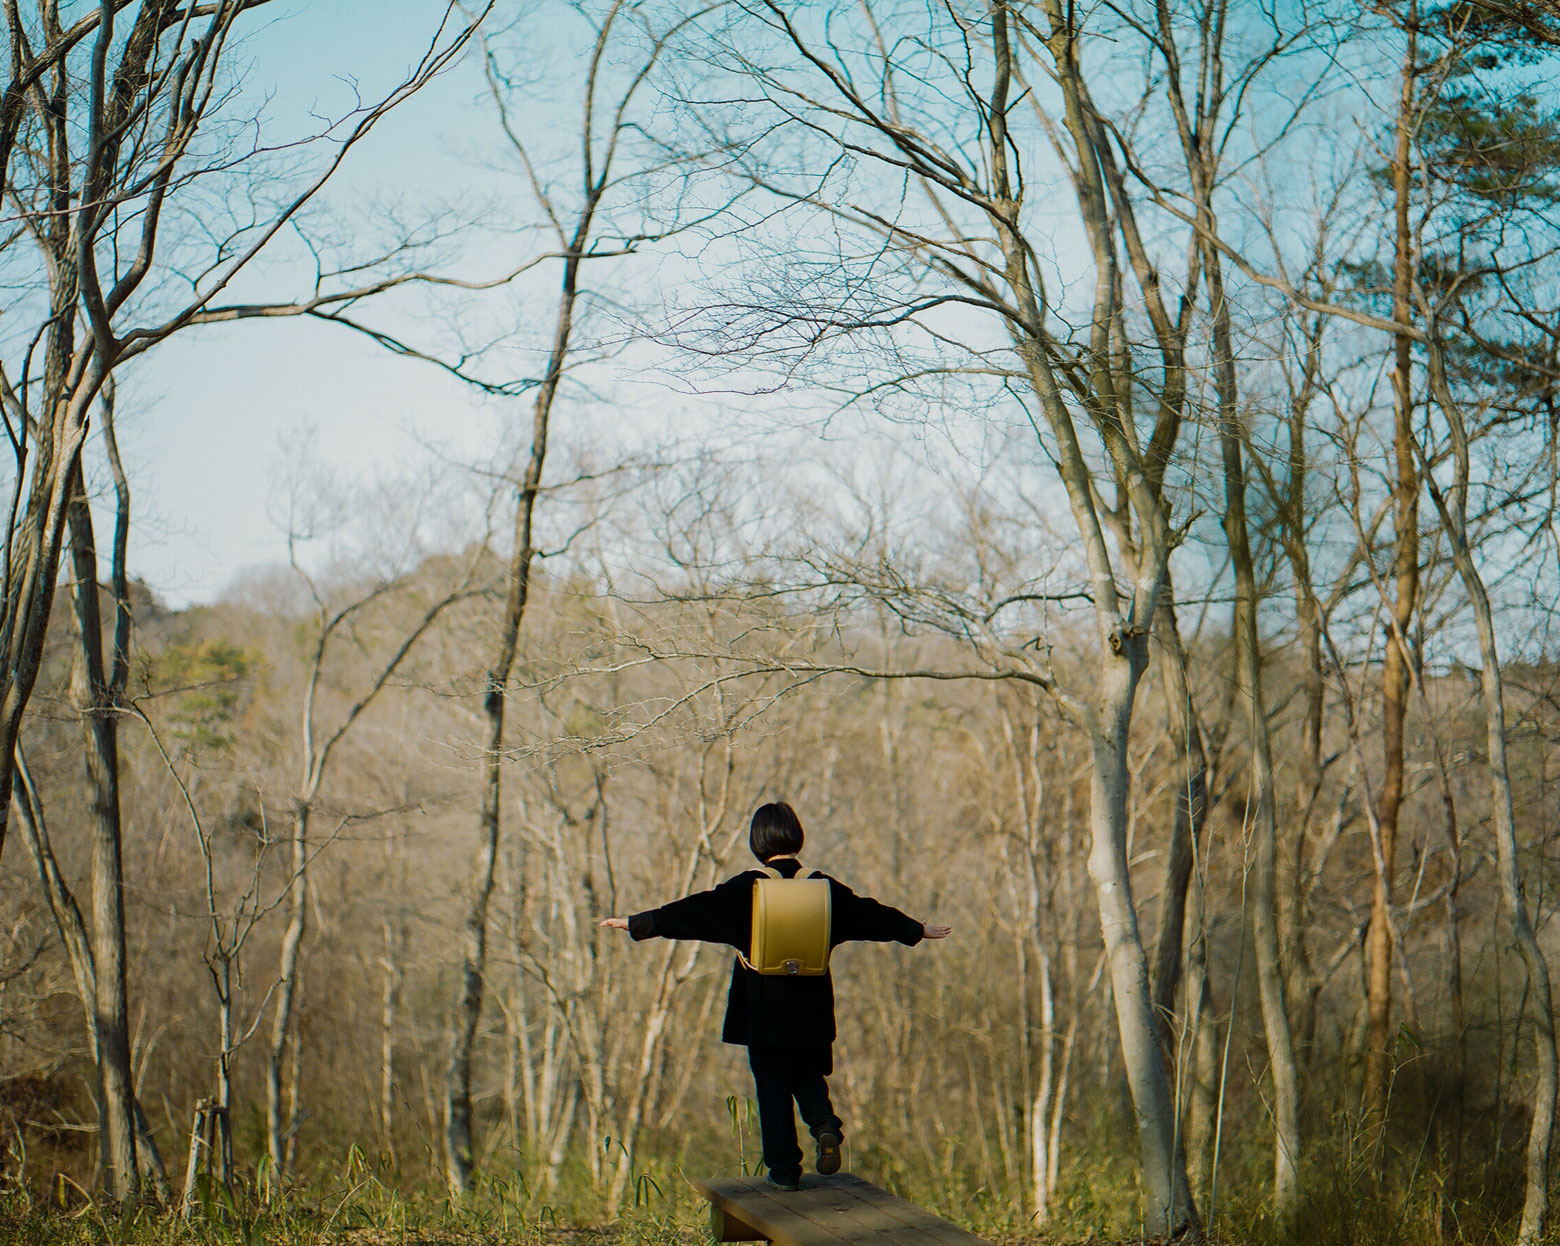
(138, 96)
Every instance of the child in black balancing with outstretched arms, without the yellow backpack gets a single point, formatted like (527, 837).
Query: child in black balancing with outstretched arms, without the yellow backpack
(787, 1024)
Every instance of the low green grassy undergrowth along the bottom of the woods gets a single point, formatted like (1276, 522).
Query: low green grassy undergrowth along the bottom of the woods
(364, 1202)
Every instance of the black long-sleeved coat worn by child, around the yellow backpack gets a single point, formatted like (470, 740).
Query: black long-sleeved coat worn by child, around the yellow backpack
(775, 1011)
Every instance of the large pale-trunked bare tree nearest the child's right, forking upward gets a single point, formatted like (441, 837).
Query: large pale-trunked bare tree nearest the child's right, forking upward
(988, 260)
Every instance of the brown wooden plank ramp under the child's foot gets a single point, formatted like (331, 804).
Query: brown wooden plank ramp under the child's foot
(840, 1211)
